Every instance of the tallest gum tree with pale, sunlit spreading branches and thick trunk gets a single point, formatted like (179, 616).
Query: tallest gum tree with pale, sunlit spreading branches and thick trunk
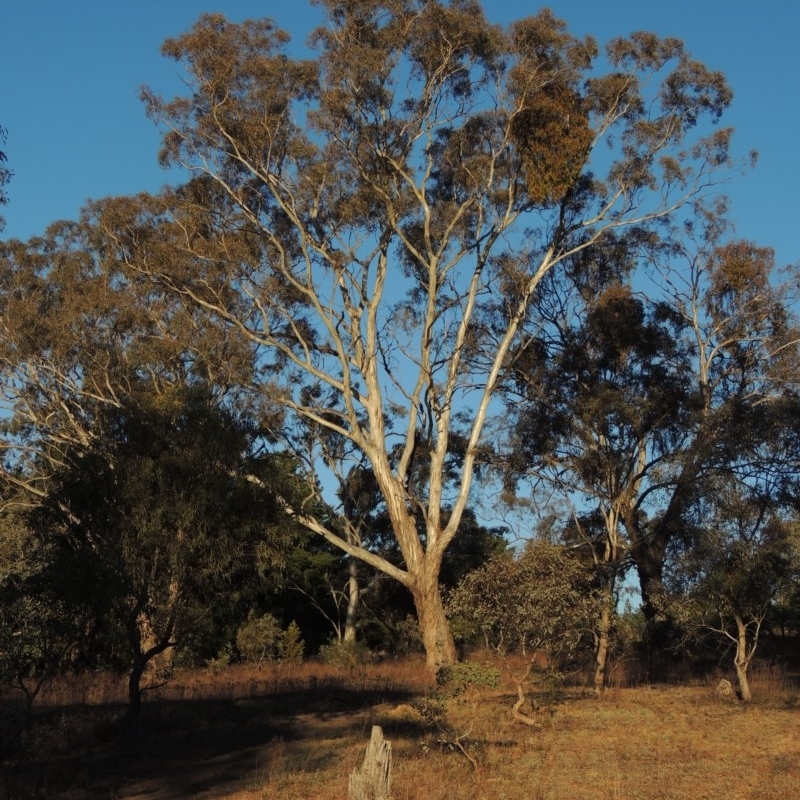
(375, 221)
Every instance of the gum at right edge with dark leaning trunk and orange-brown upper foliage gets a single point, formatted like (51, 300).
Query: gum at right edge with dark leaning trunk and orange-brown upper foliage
(741, 334)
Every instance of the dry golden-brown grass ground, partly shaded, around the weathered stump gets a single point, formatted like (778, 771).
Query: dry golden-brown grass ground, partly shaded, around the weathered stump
(297, 735)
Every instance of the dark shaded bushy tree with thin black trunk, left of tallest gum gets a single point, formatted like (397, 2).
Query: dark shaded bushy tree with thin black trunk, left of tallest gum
(166, 519)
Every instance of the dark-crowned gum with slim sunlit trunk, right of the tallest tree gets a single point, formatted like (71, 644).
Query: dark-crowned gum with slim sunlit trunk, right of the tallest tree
(601, 400)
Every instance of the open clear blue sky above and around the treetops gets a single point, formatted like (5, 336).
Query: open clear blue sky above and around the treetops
(70, 72)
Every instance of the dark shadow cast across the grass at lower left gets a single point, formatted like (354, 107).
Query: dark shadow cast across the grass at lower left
(189, 746)
